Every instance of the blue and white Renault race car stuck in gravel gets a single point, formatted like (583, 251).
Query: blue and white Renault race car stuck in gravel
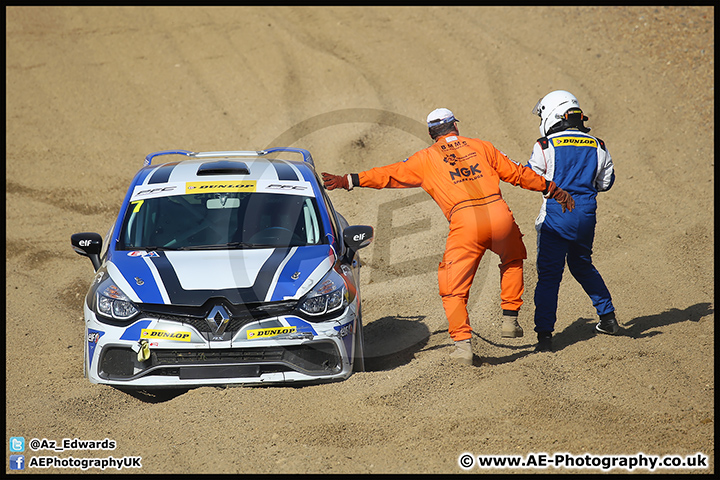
(224, 268)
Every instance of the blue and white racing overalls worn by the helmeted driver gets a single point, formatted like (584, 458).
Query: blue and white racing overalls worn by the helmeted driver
(581, 165)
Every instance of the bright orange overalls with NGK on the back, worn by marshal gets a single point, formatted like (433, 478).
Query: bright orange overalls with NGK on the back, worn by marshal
(463, 176)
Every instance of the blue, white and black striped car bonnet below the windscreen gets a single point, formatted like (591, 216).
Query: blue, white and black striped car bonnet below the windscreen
(241, 276)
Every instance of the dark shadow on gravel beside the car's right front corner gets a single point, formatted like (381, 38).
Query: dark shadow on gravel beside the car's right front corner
(393, 341)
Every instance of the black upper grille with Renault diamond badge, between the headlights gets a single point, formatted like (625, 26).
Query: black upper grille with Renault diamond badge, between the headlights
(240, 315)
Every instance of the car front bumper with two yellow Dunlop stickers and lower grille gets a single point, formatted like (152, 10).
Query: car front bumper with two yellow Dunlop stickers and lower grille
(159, 353)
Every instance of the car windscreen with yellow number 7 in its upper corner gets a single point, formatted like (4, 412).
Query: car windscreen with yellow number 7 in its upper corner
(221, 221)
